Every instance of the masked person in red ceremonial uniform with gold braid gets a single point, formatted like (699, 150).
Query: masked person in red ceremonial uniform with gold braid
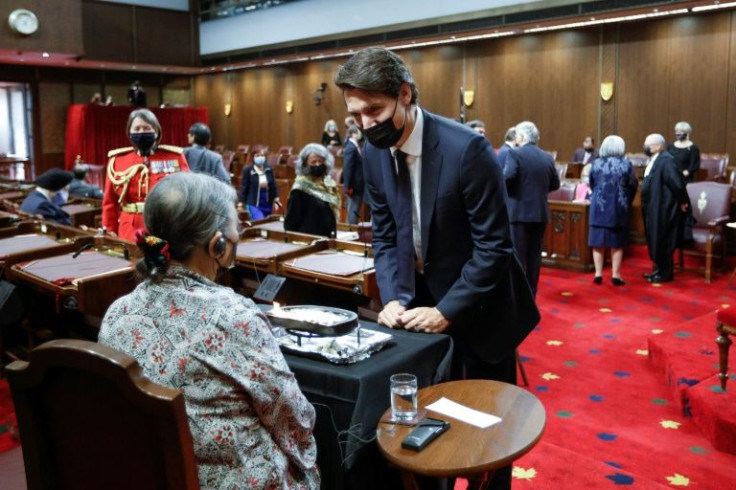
(133, 171)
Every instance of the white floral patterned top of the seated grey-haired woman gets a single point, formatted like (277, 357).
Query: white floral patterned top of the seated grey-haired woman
(250, 422)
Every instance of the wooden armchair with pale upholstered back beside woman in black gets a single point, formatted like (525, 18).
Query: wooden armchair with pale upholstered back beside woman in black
(711, 205)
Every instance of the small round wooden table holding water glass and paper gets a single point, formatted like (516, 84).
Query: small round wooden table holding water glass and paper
(466, 450)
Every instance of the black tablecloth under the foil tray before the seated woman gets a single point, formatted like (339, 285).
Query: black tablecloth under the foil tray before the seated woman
(353, 398)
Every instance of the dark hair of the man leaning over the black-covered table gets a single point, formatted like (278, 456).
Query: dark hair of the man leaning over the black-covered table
(376, 70)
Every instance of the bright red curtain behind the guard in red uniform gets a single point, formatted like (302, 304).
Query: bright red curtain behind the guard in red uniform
(93, 130)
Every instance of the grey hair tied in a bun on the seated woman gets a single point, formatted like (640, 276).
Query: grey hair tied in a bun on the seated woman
(185, 210)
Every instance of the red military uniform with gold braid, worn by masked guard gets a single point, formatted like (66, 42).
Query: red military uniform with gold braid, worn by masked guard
(129, 178)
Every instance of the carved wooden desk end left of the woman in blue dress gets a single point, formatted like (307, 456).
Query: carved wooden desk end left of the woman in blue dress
(565, 242)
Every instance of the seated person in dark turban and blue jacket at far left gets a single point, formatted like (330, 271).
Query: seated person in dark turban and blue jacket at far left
(48, 196)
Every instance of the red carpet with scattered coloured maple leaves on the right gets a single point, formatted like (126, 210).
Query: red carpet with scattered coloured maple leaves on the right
(612, 420)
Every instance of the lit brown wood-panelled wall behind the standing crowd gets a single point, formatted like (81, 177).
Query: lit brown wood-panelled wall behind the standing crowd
(664, 71)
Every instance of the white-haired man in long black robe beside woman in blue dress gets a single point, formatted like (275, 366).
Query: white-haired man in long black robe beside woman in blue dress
(663, 201)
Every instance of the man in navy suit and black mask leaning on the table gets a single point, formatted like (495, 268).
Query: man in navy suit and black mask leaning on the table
(441, 240)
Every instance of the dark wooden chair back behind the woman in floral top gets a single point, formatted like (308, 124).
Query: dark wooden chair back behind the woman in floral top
(89, 419)
